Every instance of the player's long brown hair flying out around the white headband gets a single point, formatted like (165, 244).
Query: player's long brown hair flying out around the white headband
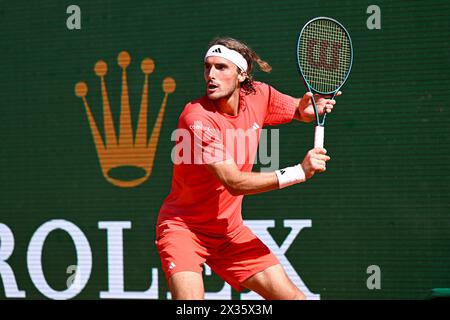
(249, 55)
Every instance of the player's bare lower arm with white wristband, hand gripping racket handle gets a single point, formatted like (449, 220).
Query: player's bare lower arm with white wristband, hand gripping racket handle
(243, 183)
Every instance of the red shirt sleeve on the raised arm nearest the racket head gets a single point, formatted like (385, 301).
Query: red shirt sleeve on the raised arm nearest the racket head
(281, 108)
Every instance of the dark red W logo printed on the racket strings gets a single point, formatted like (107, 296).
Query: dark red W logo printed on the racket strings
(322, 61)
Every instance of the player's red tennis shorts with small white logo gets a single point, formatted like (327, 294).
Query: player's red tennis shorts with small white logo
(235, 258)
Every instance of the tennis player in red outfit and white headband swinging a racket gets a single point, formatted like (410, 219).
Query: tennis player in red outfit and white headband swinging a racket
(200, 221)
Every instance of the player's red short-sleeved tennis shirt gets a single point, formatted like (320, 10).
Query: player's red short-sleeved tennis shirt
(197, 200)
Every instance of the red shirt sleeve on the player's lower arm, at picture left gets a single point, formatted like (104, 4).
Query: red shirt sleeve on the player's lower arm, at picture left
(206, 143)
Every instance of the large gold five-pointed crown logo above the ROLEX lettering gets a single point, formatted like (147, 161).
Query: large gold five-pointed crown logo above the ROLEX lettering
(125, 152)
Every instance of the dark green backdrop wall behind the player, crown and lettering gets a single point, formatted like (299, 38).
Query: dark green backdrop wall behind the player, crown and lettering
(383, 201)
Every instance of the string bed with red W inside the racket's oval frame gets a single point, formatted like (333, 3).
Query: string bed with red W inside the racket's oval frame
(324, 55)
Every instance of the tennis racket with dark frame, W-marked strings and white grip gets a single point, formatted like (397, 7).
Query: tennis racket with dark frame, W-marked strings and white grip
(324, 59)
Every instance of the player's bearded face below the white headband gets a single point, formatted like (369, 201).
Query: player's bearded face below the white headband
(221, 77)
